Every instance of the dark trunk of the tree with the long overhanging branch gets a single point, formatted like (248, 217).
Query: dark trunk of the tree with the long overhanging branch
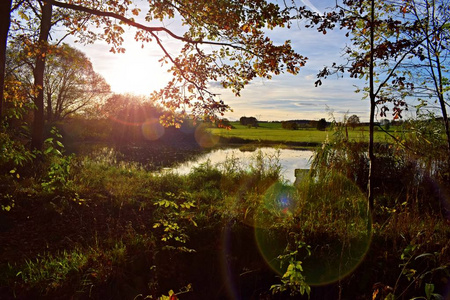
(37, 137)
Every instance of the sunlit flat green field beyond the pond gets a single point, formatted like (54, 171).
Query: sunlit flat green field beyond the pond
(273, 132)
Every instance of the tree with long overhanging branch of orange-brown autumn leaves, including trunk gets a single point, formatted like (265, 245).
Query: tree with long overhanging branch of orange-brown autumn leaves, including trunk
(239, 50)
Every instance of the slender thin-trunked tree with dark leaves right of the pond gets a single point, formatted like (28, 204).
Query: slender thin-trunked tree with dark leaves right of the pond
(379, 47)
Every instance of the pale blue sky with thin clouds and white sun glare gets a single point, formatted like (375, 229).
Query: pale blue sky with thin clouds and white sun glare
(284, 97)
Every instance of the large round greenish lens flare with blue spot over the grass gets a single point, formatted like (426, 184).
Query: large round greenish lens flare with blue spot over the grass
(331, 214)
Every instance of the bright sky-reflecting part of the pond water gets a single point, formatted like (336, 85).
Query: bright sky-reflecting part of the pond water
(289, 159)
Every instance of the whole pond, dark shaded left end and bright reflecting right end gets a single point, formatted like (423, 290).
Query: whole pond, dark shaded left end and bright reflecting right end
(181, 160)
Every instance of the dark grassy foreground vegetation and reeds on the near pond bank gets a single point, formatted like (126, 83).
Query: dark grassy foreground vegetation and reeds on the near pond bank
(94, 227)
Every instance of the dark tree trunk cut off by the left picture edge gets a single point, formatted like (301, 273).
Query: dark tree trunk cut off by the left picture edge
(5, 21)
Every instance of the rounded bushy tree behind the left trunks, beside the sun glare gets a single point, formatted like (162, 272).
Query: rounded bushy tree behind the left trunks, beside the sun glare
(70, 83)
